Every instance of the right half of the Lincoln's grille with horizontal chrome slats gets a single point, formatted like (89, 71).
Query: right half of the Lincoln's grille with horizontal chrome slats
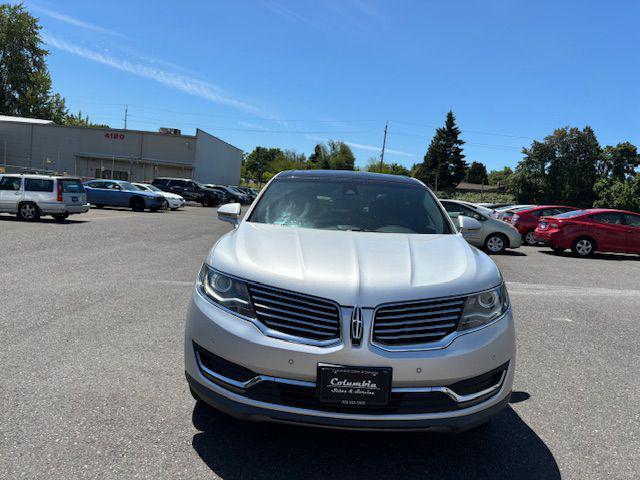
(417, 322)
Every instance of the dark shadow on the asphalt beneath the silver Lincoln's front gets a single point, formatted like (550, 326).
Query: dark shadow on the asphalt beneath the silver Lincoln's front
(505, 448)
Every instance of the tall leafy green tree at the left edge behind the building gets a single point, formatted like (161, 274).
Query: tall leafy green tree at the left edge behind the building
(25, 83)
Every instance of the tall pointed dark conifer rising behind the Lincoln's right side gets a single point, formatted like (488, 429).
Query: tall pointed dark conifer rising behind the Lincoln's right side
(444, 162)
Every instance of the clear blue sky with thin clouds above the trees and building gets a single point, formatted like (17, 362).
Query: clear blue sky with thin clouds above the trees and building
(292, 73)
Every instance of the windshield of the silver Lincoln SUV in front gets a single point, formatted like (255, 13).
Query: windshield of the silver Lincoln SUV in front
(347, 204)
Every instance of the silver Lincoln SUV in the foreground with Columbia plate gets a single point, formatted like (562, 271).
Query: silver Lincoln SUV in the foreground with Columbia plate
(350, 300)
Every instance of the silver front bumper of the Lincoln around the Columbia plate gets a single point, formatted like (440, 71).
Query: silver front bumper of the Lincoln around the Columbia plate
(241, 343)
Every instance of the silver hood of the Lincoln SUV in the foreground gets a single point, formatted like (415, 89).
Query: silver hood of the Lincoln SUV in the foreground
(354, 268)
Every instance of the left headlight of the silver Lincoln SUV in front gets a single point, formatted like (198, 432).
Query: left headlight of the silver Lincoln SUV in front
(225, 291)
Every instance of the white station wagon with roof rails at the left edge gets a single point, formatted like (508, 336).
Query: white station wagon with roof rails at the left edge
(31, 196)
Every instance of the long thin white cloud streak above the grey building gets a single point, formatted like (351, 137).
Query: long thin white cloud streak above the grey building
(189, 85)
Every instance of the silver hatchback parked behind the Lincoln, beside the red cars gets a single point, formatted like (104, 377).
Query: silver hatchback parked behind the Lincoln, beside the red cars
(495, 236)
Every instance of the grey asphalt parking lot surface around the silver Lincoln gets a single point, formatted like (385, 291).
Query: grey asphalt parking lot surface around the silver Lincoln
(92, 384)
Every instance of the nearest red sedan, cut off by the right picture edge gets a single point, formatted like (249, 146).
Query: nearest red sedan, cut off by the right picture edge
(587, 231)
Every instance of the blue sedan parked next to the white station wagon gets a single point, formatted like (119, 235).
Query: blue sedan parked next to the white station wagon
(118, 193)
